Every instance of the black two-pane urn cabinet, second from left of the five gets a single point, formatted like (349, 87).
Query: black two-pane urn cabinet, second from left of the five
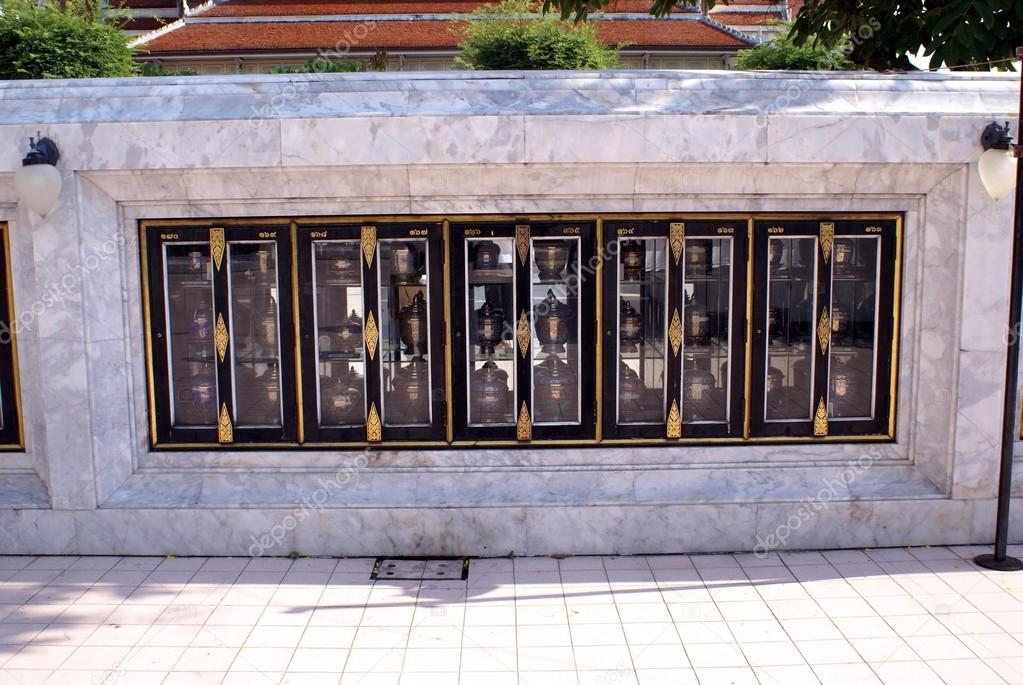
(370, 315)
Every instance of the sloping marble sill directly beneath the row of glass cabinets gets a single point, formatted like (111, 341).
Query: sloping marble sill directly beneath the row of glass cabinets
(348, 489)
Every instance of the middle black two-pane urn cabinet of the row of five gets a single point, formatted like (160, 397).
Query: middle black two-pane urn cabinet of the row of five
(523, 321)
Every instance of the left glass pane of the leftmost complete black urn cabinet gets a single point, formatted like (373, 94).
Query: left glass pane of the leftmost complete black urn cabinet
(190, 325)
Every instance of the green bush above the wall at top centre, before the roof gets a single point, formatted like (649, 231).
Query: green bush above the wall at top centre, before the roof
(512, 36)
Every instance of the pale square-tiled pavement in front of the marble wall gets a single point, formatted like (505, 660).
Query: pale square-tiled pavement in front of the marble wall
(899, 617)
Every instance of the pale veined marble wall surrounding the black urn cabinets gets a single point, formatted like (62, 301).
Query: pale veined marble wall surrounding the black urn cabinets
(512, 144)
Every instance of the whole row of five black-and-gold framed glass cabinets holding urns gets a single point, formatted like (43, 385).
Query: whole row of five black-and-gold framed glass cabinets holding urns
(513, 331)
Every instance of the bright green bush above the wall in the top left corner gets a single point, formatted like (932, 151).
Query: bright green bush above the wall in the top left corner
(62, 39)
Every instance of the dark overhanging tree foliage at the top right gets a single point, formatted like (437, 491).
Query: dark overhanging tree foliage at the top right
(884, 34)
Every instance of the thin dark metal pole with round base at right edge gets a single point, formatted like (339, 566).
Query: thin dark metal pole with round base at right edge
(1000, 561)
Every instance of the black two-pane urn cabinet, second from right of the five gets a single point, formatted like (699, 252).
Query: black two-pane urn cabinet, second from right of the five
(675, 321)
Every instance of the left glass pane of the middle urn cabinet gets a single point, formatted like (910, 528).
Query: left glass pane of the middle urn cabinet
(490, 311)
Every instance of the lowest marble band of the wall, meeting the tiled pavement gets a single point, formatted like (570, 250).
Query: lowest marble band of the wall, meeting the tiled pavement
(500, 532)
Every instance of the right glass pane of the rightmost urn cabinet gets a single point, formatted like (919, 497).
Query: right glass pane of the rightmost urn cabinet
(853, 369)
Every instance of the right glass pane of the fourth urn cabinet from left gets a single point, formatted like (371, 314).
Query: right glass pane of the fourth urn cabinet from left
(707, 329)
